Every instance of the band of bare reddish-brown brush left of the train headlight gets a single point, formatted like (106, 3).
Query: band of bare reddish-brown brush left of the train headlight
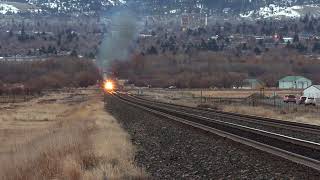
(30, 77)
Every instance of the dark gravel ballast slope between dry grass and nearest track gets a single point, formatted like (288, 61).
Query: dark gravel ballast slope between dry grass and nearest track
(171, 150)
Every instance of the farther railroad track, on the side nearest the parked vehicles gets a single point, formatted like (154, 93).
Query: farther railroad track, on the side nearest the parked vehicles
(297, 130)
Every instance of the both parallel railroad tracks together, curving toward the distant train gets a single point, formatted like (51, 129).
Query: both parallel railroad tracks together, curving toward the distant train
(273, 136)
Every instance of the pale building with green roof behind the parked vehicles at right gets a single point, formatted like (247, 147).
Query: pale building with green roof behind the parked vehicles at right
(294, 82)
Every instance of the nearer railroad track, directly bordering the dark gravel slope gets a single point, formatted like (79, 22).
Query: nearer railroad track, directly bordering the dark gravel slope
(296, 150)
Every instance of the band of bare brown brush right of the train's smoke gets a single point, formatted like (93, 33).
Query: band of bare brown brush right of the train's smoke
(212, 69)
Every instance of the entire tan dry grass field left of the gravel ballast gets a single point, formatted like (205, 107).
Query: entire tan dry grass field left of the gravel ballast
(64, 136)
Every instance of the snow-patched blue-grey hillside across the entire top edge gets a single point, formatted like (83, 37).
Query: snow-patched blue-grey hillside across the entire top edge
(243, 8)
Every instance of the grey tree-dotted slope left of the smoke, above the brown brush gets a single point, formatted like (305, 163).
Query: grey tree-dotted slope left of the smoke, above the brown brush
(49, 35)
